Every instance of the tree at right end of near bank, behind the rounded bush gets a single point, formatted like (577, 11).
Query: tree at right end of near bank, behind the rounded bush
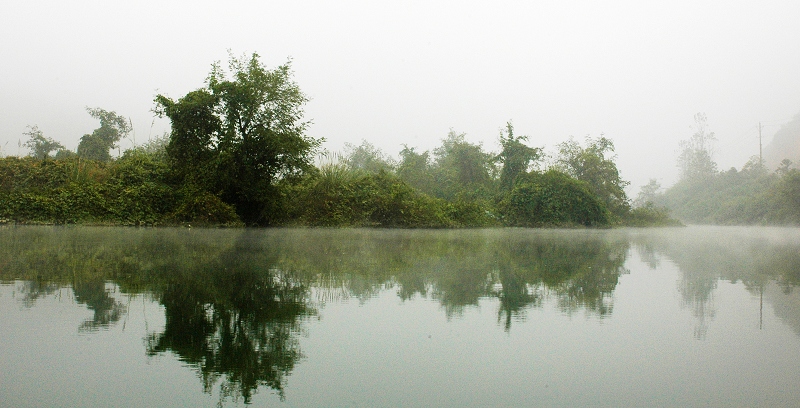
(591, 165)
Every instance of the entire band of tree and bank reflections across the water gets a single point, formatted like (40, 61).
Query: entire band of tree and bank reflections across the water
(236, 302)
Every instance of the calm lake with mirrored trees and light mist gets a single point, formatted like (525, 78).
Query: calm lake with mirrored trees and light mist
(696, 316)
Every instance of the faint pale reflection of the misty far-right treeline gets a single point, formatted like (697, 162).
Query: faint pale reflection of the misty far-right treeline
(756, 257)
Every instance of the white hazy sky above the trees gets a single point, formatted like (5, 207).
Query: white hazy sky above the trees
(396, 73)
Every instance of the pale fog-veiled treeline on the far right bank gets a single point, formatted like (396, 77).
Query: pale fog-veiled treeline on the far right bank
(753, 195)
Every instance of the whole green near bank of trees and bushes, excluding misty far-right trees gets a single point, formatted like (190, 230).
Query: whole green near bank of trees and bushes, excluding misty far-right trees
(238, 155)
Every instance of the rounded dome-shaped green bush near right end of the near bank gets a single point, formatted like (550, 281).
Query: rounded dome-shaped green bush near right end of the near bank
(551, 199)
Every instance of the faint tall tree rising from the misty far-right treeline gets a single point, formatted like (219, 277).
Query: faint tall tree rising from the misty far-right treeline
(695, 160)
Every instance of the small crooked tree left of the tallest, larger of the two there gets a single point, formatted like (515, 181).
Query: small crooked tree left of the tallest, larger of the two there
(97, 145)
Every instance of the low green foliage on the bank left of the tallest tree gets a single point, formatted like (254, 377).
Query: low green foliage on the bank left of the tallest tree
(136, 189)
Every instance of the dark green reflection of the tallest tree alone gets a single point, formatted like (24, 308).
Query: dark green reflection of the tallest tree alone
(236, 319)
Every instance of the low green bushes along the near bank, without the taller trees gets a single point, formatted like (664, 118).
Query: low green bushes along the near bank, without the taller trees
(140, 189)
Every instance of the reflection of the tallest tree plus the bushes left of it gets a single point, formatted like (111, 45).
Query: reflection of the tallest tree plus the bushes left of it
(230, 312)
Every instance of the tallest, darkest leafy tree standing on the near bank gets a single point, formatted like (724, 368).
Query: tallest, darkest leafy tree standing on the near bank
(241, 137)
